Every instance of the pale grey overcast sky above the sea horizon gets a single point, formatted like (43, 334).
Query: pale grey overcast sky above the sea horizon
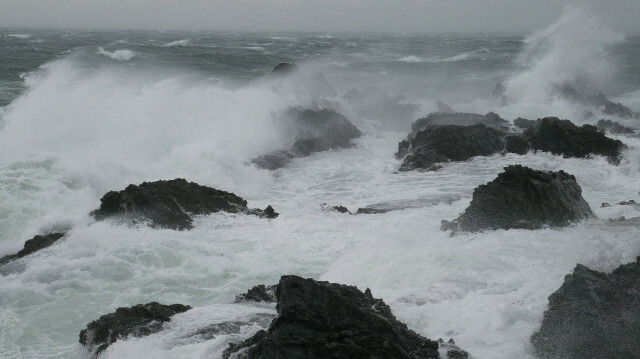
(312, 15)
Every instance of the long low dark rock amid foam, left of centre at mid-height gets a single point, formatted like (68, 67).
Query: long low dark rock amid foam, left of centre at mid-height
(171, 204)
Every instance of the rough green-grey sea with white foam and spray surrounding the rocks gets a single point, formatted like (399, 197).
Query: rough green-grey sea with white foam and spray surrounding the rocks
(83, 113)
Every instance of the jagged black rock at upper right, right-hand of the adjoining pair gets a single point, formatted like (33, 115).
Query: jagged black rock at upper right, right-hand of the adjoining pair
(561, 137)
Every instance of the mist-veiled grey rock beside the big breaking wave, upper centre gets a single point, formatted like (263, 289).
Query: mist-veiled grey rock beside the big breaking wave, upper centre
(315, 131)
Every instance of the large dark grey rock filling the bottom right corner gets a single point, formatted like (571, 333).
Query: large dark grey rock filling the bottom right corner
(593, 315)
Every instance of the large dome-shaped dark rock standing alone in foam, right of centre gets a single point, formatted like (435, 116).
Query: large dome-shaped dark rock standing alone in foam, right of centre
(523, 198)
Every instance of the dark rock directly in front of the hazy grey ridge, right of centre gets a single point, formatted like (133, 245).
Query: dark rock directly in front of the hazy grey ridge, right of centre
(437, 144)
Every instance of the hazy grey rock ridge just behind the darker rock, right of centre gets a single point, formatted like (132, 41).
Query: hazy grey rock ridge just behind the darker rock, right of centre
(460, 119)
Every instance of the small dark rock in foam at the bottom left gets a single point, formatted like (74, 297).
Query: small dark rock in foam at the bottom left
(137, 321)
